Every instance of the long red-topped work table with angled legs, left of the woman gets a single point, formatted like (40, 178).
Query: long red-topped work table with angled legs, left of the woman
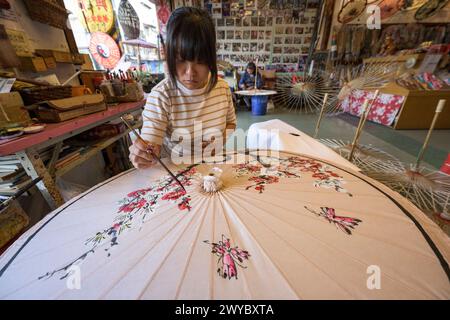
(26, 148)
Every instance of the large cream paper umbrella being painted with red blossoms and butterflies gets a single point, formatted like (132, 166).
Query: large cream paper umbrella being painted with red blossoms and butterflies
(290, 227)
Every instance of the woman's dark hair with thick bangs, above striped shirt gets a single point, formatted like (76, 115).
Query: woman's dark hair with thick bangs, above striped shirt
(191, 35)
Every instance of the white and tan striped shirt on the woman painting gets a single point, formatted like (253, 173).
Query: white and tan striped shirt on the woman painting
(171, 112)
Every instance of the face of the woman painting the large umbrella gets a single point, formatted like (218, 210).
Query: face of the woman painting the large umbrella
(193, 75)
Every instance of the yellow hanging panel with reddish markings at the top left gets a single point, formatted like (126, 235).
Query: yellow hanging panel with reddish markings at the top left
(97, 15)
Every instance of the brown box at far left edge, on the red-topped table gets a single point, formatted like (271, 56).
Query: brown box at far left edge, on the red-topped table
(12, 109)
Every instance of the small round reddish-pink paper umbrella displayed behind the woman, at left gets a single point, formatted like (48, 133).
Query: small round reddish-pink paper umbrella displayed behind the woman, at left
(104, 49)
